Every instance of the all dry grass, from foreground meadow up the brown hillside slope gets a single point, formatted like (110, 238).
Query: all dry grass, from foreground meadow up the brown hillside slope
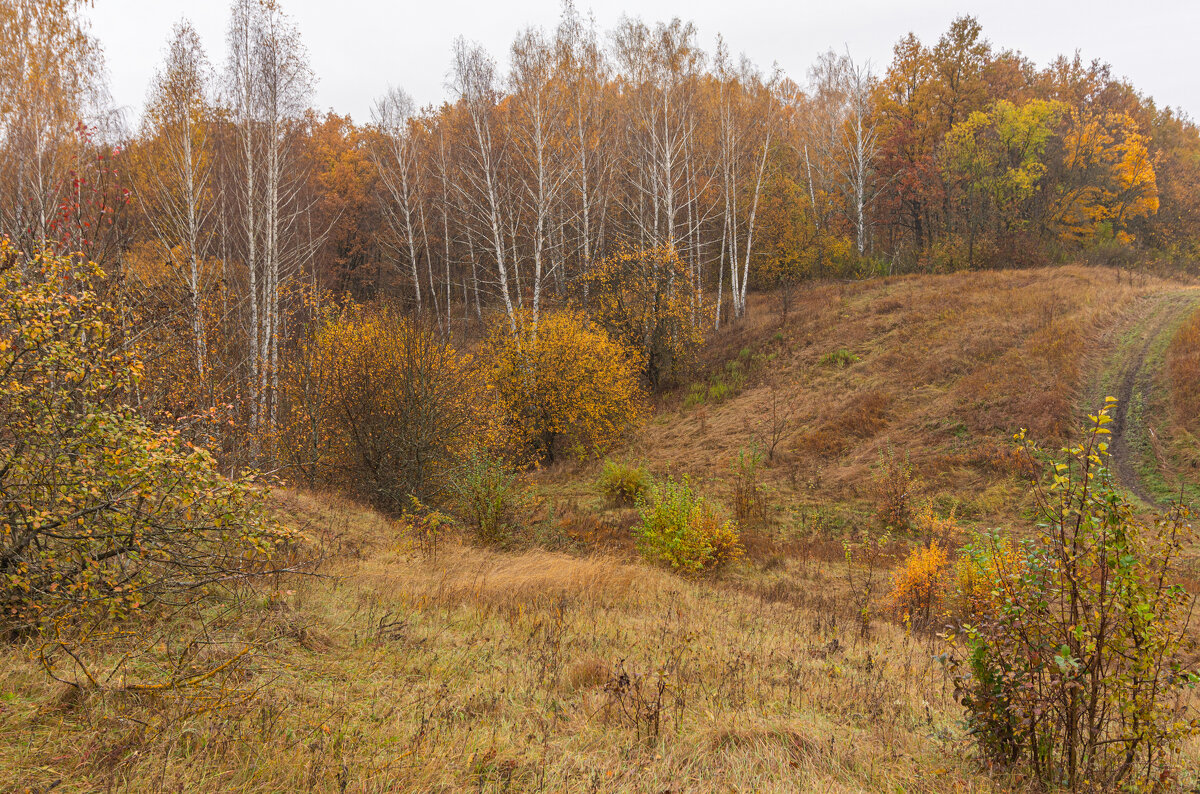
(407, 667)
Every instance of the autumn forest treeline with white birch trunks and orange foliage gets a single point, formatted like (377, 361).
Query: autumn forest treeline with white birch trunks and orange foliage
(236, 210)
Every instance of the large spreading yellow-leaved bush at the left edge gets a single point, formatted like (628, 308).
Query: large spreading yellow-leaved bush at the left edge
(103, 515)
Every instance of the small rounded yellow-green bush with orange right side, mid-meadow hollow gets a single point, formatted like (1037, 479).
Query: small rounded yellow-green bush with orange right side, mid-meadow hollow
(685, 531)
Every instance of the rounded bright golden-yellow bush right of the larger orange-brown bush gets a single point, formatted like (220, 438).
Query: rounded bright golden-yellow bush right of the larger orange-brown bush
(563, 381)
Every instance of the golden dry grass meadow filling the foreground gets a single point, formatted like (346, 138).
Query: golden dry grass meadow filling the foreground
(482, 671)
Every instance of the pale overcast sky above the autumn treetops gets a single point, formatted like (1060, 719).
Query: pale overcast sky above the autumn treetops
(361, 47)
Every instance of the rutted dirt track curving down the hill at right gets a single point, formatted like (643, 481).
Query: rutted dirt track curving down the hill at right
(1132, 374)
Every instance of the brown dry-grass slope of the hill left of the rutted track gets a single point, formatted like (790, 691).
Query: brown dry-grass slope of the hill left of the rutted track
(949, 368)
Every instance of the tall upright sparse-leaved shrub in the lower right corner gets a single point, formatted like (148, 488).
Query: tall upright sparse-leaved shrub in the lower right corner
(1077, 661)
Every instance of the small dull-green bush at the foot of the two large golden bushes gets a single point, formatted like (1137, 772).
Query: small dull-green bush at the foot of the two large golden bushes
(490, 496)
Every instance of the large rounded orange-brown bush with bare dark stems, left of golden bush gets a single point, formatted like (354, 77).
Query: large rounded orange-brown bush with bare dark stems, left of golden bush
(381, 406)
